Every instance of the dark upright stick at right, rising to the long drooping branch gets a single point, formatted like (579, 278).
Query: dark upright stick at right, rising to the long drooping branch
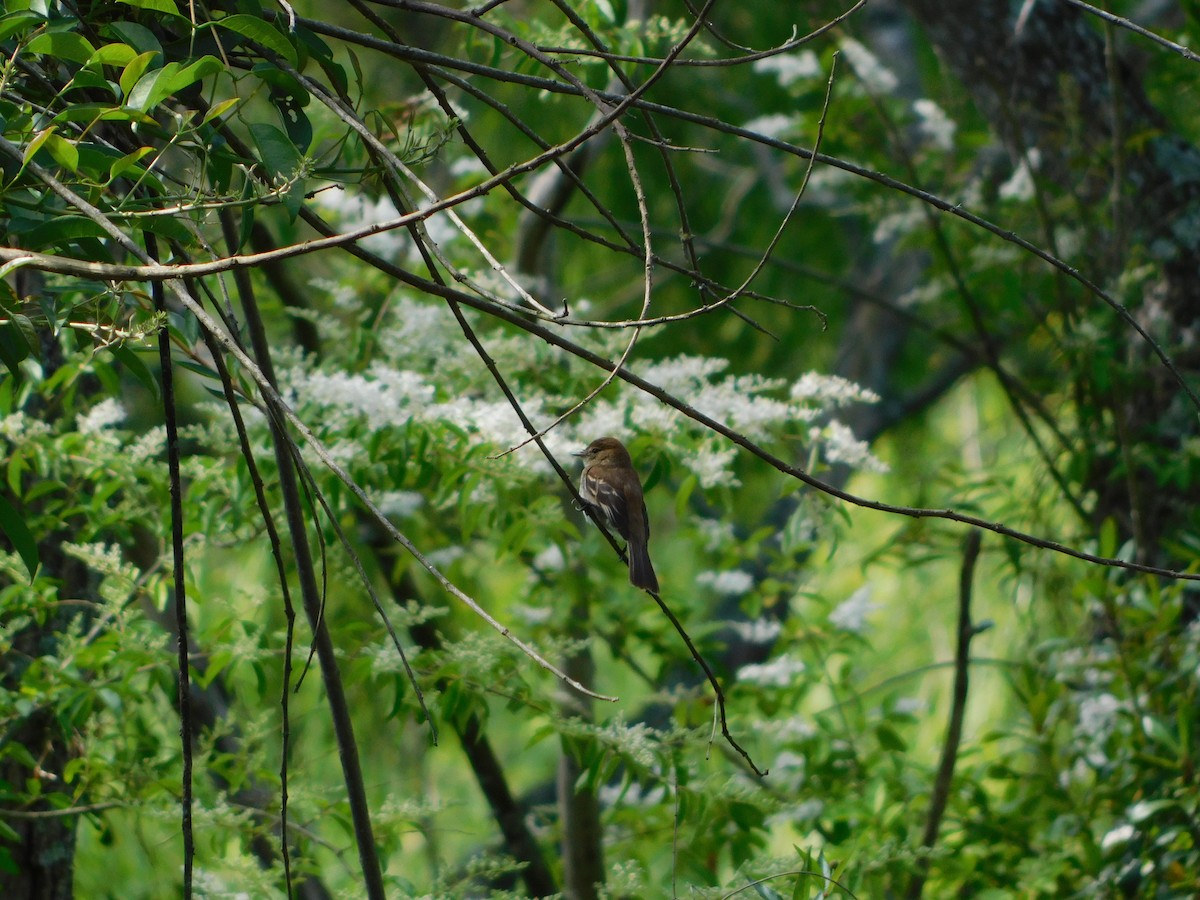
(941, 793)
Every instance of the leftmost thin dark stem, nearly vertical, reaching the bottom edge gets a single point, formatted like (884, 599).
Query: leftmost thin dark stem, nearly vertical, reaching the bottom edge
(177, 544)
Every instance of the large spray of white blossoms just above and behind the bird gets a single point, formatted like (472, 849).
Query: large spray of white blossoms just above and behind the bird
(423, 371)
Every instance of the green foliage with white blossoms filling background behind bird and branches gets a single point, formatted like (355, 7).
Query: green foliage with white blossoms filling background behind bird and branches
(832, 628)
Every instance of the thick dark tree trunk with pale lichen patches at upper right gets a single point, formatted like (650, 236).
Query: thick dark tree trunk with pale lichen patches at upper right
(1049, 82)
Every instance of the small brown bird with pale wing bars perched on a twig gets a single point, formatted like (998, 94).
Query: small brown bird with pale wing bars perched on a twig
(611, 488)
